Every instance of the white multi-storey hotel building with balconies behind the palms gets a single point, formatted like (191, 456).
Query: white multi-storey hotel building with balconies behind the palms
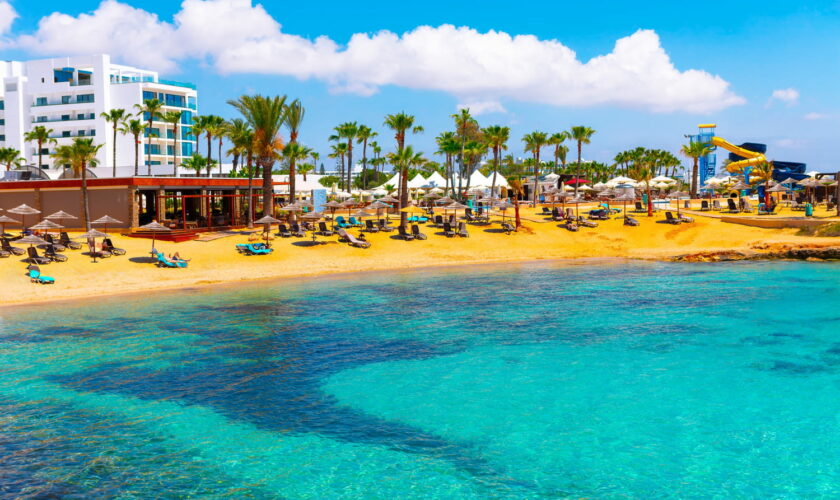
(68, 96)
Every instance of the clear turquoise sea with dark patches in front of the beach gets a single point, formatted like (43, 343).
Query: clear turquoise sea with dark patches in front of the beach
(540, 380)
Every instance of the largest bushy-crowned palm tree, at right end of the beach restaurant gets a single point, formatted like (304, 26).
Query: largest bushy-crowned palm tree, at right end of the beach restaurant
(266, 116)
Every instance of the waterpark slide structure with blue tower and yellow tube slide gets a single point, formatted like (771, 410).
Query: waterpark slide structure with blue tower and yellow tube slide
(744, 156)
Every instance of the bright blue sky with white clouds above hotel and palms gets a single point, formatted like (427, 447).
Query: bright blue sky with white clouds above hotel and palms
(755, 48)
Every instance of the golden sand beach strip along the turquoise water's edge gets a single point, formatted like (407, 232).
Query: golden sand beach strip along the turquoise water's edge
(218, 262)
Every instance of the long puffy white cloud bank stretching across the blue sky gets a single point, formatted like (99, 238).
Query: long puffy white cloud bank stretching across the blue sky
(481, 69)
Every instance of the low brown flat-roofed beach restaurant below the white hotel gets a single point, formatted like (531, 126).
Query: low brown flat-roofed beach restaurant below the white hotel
(184, 203)
